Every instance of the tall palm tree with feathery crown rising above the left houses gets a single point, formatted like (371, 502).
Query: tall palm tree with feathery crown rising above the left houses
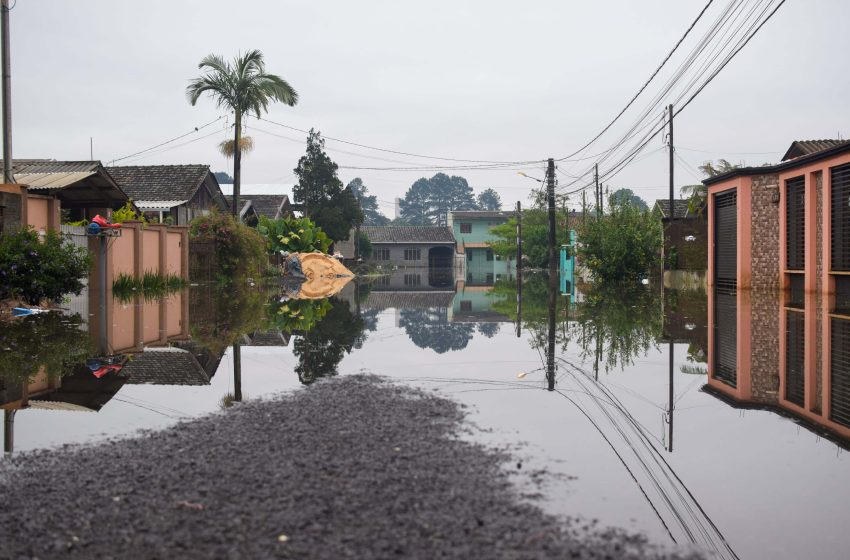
(242, 87)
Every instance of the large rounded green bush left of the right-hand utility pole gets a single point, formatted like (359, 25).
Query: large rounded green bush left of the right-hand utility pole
(620, 246)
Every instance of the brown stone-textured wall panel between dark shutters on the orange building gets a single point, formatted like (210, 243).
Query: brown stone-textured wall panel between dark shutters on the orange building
(765, 233)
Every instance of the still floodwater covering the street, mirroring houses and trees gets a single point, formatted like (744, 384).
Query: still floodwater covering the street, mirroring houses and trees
(720, 420)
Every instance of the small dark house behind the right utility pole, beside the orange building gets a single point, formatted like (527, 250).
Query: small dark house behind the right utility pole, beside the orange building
(685, 237)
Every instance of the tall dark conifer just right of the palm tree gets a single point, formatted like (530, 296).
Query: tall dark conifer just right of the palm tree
(320, 191)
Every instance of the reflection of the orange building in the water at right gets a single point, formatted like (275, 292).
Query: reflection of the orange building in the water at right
(784, 352)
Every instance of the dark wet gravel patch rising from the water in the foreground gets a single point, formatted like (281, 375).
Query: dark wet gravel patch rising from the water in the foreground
(353, 467)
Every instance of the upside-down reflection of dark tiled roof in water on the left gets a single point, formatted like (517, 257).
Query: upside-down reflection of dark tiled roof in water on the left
(165, 366)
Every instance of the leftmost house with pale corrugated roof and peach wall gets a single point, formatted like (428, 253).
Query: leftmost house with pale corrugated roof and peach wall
(77, 189)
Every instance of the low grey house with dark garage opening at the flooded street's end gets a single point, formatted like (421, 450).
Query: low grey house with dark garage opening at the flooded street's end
(408, 246)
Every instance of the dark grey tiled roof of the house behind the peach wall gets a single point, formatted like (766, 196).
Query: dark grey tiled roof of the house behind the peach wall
(159, 182)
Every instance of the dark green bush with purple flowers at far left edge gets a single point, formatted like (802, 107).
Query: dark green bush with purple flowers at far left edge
(34, 269)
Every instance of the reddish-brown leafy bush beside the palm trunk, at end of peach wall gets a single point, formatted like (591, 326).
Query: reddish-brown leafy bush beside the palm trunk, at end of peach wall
(240, 250)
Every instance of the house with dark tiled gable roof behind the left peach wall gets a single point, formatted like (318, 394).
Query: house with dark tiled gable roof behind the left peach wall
(171, 193)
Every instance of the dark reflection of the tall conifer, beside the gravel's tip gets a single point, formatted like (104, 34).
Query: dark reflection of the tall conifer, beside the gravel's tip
(321, 349)
